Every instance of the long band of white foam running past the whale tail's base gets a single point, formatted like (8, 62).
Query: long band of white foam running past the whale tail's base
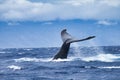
(99, 57)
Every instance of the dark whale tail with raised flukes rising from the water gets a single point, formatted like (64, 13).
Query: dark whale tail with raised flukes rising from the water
(67, 40)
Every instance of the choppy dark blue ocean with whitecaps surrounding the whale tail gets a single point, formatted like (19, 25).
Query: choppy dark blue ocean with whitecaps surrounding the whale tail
(83, 63)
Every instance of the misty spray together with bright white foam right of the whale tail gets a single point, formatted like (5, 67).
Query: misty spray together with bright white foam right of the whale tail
(95, 53)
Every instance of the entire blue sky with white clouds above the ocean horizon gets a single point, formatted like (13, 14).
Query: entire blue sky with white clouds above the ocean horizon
(38, 23)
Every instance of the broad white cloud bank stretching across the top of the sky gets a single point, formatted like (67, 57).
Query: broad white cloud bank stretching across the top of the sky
(29, 10)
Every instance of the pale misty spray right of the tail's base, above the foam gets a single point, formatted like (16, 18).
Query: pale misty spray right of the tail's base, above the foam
(86, 51)
